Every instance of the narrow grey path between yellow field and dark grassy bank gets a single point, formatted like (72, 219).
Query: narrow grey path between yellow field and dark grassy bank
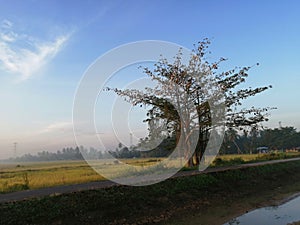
(21, 195)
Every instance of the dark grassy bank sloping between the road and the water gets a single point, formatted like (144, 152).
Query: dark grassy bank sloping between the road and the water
(151, 204)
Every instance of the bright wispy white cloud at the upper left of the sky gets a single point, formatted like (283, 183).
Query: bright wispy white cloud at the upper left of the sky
(27, 58)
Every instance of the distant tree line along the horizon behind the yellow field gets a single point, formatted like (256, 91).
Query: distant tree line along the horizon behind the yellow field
(283, 138)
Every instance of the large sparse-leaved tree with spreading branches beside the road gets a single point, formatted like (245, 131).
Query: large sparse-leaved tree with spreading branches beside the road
(180, 88)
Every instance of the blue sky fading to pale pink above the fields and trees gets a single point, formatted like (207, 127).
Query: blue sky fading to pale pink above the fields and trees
(46, 47)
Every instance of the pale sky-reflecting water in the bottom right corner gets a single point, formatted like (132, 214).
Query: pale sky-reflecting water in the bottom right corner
(277, 215)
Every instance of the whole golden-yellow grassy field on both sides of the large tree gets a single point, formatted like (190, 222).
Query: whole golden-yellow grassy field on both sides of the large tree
(23, 176)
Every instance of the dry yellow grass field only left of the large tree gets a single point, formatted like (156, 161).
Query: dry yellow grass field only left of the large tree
(20, 176)
